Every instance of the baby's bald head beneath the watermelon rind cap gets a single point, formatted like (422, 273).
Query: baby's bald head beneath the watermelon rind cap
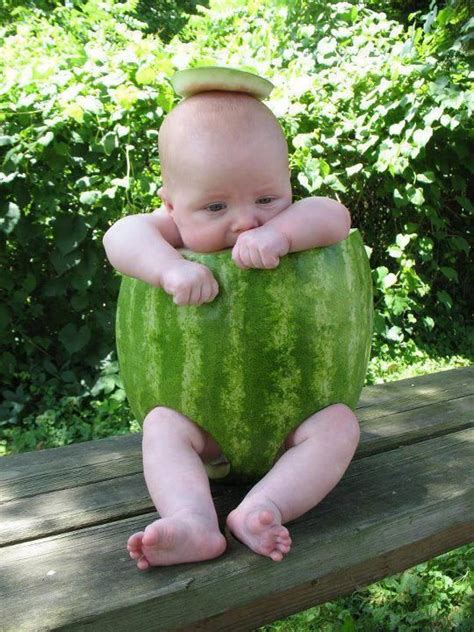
(224, 163)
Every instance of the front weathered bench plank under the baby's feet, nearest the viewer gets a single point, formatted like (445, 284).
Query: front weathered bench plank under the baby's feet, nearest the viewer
(407, 504)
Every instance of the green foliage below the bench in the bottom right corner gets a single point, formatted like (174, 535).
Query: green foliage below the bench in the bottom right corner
(434, 596)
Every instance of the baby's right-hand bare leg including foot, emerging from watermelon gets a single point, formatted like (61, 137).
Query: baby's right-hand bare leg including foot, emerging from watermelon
(317, 455)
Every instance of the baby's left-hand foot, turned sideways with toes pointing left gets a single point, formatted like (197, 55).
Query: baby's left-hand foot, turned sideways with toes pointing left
(174, 540)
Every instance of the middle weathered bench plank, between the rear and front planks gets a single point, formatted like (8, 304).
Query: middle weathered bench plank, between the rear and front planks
(84, 505)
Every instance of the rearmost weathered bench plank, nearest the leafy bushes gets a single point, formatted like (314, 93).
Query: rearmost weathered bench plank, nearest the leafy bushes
(105, 459)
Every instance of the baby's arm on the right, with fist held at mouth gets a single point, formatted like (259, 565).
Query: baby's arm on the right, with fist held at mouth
(309, 223)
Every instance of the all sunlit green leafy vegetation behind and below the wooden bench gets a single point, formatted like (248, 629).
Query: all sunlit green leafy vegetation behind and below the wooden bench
(376, 103)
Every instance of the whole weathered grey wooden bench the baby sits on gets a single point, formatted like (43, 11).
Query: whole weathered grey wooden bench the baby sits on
(66, 515)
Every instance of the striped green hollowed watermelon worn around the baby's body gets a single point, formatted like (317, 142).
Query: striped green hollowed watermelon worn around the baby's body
(274, 347)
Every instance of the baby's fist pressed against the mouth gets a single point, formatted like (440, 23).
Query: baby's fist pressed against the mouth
(260, 247)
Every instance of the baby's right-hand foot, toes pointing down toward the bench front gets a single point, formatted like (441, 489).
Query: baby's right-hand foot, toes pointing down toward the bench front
(258, 525)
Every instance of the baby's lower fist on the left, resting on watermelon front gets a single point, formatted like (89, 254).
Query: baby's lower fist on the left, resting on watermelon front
(189, 283)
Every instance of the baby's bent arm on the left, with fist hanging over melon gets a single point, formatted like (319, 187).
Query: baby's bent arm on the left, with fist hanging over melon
(144, 246)
